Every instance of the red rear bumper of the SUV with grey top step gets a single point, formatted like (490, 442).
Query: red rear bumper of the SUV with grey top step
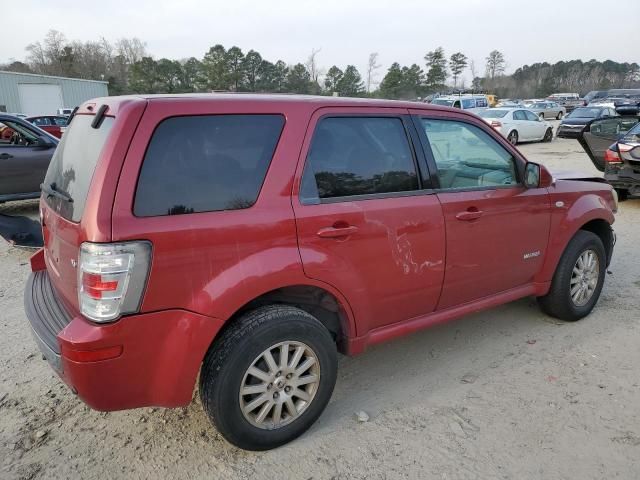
(149, 359)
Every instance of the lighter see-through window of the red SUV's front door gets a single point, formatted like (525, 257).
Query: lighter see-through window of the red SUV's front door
(467, 157)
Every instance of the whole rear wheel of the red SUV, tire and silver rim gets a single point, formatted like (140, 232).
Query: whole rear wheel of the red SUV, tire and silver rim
(269, 377)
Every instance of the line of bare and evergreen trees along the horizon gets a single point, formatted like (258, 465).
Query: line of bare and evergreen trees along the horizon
(129, 68)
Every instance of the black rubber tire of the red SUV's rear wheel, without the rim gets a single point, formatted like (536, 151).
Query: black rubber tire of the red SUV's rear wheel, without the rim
(229, 358)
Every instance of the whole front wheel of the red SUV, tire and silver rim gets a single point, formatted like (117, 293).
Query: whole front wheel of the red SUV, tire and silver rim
(578, 279)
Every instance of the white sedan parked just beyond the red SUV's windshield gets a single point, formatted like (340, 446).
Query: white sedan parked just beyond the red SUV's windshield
(518, 124)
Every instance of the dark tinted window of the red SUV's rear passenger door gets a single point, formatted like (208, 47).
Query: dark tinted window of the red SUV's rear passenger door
(358, 156)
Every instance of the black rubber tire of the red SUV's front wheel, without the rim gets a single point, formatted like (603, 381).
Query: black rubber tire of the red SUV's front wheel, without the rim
(558, 302)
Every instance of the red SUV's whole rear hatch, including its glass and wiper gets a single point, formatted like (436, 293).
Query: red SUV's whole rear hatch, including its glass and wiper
(79, 187)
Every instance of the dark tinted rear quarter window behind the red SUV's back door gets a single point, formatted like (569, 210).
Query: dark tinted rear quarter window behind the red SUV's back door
(206, 163)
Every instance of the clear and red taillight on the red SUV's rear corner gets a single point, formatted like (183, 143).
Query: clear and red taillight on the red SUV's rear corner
(112, 278)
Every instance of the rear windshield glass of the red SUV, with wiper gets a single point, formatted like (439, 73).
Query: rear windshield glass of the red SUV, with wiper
(73, 164)
